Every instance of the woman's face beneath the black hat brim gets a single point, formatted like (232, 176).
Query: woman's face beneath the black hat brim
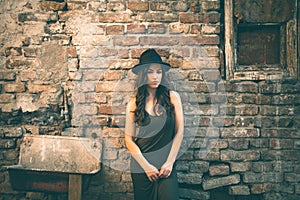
(154, 75)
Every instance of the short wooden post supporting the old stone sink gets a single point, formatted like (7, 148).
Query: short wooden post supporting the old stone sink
(75, 187)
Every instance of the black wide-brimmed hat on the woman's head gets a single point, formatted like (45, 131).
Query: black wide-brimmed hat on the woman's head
(150, 56)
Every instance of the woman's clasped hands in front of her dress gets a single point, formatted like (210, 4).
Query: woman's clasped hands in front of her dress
(154, 174)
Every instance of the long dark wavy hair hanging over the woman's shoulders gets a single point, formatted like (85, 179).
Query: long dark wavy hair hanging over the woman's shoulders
(162, 96)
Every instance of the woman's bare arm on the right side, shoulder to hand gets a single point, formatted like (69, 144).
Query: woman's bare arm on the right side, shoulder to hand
(167, 167)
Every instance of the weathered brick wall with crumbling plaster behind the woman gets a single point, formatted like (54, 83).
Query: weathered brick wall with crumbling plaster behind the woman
(83, 50)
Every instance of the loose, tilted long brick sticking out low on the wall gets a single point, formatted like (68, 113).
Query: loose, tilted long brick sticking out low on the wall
(211, 183)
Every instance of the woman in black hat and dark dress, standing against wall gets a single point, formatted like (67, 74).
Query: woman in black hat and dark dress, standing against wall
(154, 131)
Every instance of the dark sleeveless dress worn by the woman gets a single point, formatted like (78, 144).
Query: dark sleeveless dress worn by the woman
(155, 141)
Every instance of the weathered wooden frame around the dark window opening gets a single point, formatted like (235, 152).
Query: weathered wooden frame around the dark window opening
(290, 61)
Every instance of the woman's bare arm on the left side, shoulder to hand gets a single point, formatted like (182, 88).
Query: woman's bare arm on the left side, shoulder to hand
(130, 128)
